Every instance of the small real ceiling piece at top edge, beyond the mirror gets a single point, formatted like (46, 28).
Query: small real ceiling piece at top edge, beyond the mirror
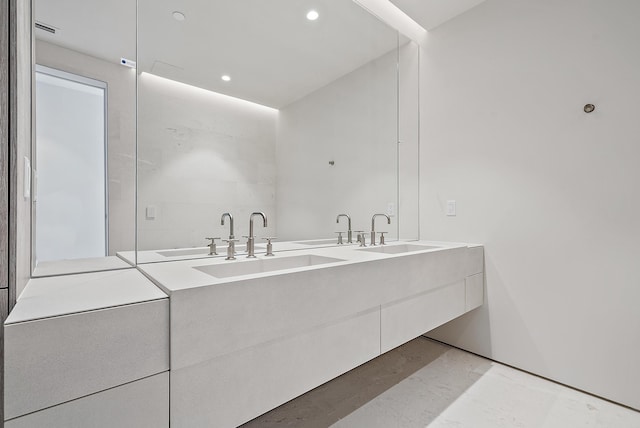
(432, 13)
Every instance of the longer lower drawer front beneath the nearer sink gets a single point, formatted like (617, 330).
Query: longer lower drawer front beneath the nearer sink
(235, 388)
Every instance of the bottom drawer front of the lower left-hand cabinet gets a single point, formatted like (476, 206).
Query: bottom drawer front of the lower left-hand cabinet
(144, 403)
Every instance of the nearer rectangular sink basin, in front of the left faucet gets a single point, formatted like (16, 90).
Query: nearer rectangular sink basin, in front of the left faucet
(226, 270)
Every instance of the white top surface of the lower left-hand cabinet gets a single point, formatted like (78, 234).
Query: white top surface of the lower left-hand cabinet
(68, 294)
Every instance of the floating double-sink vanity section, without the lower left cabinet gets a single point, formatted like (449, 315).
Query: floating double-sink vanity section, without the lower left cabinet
(250, 335)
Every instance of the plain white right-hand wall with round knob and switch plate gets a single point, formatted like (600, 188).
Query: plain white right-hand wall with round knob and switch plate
(552, 192)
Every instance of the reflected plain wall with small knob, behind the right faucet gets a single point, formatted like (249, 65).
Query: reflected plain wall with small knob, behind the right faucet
(352, 122)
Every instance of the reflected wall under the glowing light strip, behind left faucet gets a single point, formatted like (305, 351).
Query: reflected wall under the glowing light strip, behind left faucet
(201, 154)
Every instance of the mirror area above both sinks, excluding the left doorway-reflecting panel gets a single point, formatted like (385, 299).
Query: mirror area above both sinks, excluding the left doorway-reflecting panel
(253, 105)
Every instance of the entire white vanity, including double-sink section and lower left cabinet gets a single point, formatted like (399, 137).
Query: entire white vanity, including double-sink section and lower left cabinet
(242, 336)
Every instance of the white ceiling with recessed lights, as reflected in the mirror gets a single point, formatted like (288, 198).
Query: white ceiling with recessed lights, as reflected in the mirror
(273, 54)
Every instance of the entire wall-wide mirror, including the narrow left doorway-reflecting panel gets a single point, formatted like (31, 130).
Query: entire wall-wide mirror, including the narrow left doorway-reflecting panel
(153, 118)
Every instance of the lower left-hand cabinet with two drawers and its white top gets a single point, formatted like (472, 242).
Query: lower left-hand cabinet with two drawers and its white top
(78, 345)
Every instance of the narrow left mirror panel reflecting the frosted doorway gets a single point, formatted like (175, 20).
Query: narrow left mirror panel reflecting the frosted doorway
(83, 156)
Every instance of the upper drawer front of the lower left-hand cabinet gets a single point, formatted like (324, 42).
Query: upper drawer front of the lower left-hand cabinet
(55, 360)
